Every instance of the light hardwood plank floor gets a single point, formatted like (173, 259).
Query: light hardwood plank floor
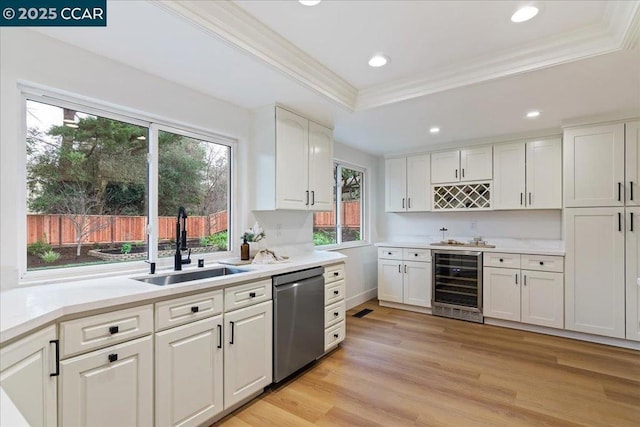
(398, 368)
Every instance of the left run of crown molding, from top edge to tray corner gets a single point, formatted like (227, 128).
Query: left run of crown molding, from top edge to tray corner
(234, 26)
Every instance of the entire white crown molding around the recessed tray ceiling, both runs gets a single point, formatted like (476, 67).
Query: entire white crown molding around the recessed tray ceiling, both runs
(619, 29)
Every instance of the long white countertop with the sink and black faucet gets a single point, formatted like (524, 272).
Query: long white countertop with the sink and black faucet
(27, 308)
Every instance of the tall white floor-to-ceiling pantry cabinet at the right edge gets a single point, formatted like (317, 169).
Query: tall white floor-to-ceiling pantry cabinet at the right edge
(600, 194)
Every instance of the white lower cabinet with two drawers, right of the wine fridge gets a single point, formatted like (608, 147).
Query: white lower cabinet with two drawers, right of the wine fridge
(530, 296)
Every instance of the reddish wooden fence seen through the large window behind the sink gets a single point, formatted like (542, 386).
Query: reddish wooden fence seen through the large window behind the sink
(59, 230)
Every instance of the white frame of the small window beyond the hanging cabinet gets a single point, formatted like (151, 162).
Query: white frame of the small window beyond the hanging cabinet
(364, 208)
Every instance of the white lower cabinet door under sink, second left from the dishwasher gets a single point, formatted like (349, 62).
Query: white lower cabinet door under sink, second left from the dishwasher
(189, 373)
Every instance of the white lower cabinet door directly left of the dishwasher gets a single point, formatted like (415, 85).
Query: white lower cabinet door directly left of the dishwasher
(247, 352)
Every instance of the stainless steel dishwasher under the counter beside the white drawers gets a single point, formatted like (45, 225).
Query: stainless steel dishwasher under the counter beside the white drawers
(298, 320)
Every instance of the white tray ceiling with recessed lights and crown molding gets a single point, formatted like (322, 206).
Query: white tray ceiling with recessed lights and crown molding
(460, 65)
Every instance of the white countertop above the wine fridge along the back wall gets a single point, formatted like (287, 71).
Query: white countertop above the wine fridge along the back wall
(517, 246)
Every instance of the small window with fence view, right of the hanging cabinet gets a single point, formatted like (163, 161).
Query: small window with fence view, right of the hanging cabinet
(345, 224)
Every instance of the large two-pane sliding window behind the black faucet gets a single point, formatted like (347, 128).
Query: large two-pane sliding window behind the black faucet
(105, 188)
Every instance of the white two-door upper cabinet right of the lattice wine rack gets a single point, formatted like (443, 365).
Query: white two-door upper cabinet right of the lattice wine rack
(528, 175)
